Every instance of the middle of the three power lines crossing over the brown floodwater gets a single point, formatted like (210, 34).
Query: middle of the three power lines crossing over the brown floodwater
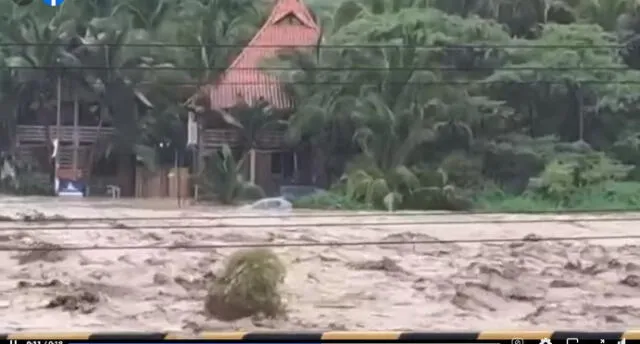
(122, 226)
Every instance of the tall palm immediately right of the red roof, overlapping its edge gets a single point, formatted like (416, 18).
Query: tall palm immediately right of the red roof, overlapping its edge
(323, 93)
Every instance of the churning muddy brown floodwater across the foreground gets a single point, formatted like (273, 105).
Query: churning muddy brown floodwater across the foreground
(524, 285)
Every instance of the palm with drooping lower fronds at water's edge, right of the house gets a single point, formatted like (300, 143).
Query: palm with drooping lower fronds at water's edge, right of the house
(387, 139)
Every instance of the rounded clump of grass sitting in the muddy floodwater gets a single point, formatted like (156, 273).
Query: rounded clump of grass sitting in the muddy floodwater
(250, 285)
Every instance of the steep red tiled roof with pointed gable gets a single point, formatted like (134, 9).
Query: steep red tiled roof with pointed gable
(244, 80)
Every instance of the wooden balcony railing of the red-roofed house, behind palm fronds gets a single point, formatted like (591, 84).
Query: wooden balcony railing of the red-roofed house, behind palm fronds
(215, 138)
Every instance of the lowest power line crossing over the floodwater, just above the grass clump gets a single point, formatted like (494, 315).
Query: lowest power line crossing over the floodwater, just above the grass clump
(312, 244)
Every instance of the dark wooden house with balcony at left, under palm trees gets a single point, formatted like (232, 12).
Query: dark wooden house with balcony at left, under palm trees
(78, 124)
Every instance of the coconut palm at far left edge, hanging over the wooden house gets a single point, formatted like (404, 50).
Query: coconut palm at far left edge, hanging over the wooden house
(40, 56)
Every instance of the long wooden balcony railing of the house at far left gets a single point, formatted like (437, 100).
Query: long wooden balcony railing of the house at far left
(38, 133)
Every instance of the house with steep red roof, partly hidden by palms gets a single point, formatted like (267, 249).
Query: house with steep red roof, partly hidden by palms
(273, 162)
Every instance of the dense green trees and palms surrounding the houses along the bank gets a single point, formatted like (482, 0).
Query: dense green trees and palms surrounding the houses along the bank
(409, 104)
